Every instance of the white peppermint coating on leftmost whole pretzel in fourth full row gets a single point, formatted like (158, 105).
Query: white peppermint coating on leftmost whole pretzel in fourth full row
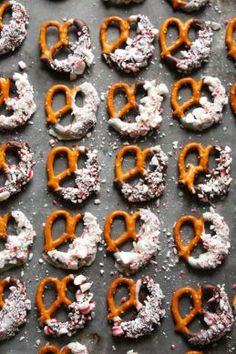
(82, 251)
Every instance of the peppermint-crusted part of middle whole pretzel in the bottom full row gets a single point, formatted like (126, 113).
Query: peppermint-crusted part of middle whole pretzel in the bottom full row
(149, 314)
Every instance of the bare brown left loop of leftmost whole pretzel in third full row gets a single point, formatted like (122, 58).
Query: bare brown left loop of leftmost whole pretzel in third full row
(72, 159)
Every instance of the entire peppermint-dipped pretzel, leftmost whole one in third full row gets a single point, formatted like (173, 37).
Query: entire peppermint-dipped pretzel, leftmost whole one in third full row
(87, 180)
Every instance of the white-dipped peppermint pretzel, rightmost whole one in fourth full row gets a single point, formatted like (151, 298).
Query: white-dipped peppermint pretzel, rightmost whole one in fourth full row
(217, 246)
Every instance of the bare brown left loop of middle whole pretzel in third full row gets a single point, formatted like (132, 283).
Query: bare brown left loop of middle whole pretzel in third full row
(141, 156)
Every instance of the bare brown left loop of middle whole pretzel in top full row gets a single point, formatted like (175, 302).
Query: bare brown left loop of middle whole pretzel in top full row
(124, 28)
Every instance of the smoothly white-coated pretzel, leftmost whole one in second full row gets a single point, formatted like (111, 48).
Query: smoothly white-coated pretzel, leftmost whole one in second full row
(84, 118)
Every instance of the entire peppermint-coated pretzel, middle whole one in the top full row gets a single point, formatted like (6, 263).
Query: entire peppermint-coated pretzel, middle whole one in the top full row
(136, 52)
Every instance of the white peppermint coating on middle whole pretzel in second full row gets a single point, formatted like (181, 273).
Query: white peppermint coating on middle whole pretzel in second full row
(149, 112)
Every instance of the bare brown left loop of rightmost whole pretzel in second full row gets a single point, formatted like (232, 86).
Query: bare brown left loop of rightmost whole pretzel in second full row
(195, 86)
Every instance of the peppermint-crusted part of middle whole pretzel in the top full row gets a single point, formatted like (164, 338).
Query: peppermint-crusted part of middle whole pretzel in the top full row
(138, 51)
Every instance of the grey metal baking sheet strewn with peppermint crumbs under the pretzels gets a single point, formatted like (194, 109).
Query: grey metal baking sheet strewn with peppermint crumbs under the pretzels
(37, 203)
